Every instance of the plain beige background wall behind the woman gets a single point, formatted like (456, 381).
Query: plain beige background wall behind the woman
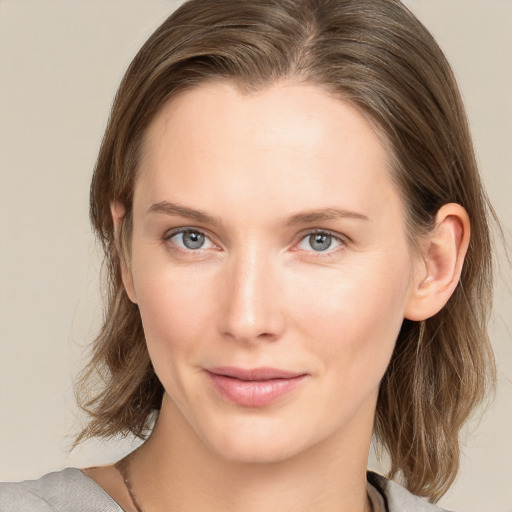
(60, 63)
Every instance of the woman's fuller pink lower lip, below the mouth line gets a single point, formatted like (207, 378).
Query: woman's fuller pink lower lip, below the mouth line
(254, 393)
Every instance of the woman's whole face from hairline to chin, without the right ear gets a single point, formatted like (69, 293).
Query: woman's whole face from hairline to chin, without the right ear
(271, 267)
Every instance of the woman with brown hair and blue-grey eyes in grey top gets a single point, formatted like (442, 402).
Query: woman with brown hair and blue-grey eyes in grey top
(299, 258)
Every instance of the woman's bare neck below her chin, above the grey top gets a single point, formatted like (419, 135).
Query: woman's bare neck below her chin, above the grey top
(174, 470)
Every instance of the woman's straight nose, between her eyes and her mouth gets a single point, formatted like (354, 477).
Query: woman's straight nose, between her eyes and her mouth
(251, 309)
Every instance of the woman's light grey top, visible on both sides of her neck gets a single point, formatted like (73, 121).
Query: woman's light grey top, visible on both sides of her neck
(70, 490)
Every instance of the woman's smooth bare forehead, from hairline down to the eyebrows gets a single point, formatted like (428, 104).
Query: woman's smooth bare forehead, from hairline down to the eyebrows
(290, 143)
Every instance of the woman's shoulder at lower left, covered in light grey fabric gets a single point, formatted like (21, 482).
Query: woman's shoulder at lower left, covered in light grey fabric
(60, 491)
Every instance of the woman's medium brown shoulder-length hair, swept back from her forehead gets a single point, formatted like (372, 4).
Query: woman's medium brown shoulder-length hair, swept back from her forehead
(376, 55)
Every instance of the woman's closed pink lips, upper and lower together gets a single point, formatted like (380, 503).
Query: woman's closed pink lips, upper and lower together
(254, 387)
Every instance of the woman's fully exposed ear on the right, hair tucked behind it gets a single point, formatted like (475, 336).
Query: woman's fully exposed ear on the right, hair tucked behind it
(438, 272)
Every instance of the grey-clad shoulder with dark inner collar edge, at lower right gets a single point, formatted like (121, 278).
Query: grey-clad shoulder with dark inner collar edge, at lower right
(399, 499)
